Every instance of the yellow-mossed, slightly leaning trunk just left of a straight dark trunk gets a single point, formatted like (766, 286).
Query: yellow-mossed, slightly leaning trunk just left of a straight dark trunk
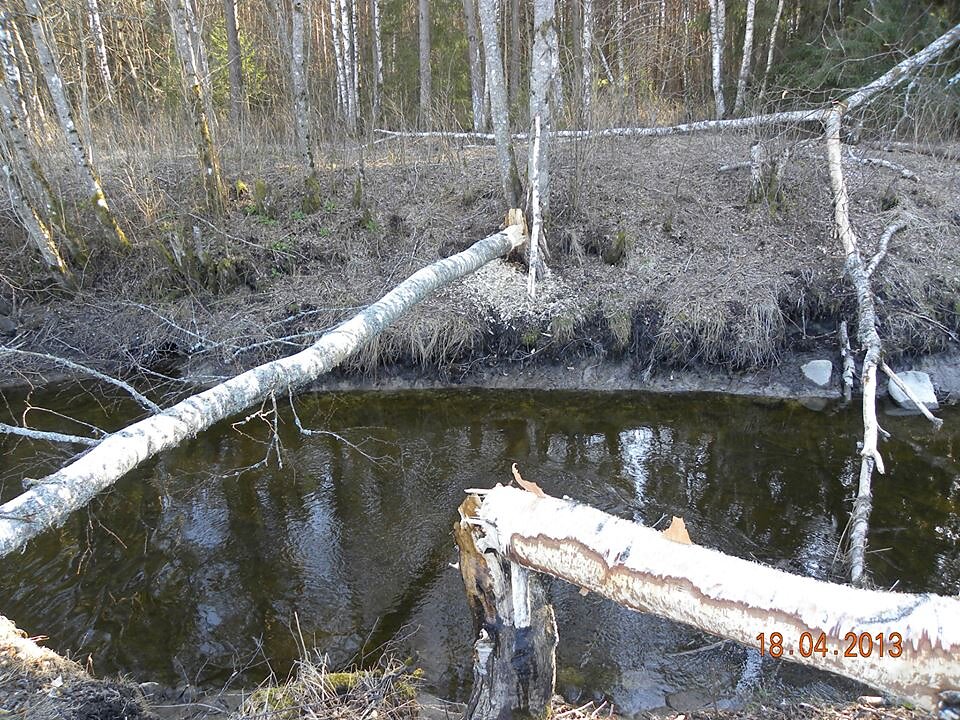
(197, 103)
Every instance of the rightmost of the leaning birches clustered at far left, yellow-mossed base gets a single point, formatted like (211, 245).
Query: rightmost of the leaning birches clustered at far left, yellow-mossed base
(61, 103)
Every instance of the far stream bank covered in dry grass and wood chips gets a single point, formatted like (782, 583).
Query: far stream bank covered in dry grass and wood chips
(660, 266)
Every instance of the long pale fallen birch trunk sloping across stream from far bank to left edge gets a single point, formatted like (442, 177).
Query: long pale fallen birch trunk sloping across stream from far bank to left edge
(51, 499)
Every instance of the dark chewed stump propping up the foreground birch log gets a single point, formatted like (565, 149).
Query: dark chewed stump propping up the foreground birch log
(514, 663)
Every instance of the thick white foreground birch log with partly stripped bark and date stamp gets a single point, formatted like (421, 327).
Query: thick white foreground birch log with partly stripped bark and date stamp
(732, 598)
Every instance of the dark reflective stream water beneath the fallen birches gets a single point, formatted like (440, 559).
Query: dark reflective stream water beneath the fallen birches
(193, 568)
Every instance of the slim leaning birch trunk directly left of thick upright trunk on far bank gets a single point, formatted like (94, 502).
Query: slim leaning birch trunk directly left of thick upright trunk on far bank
(493, 61)
